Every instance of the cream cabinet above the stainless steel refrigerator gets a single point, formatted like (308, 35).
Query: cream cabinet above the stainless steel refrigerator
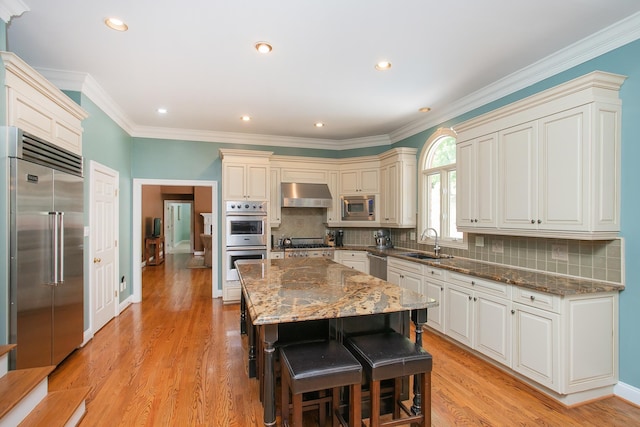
(39, 108)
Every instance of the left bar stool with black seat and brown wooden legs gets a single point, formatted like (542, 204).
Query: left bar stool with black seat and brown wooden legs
(316, 366)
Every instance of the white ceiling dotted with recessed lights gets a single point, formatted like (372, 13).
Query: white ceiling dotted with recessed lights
(196, 58)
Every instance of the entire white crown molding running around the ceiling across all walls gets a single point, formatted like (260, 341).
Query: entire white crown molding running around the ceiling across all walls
(608, 39)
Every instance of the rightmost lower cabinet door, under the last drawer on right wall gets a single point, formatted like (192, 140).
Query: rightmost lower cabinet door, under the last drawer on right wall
(536, 345)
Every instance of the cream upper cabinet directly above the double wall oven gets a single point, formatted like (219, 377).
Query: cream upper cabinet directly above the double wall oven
(245, 174)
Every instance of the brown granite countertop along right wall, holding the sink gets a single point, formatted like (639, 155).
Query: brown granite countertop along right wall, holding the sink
(543, 282)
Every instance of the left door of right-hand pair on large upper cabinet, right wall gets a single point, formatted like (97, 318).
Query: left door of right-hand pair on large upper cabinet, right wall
(518, 176)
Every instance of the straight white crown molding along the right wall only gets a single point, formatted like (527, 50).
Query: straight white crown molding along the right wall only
(606, 40)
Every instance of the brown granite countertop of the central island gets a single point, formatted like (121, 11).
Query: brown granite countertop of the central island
(299, 289)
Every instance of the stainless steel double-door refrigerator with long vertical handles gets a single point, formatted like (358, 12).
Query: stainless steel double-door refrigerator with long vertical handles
(46, 251)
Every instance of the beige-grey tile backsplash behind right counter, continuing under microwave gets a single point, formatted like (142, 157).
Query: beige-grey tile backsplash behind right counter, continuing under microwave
(599, 260)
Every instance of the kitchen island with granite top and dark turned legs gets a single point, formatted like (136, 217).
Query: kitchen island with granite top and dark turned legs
(307, 289)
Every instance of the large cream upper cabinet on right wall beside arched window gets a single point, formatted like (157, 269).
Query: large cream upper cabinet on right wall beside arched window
(557, 157)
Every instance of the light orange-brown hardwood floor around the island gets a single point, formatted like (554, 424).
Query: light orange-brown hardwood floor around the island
(177, 359)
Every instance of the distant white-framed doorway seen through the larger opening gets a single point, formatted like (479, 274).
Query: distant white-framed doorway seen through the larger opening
(178, 227)
